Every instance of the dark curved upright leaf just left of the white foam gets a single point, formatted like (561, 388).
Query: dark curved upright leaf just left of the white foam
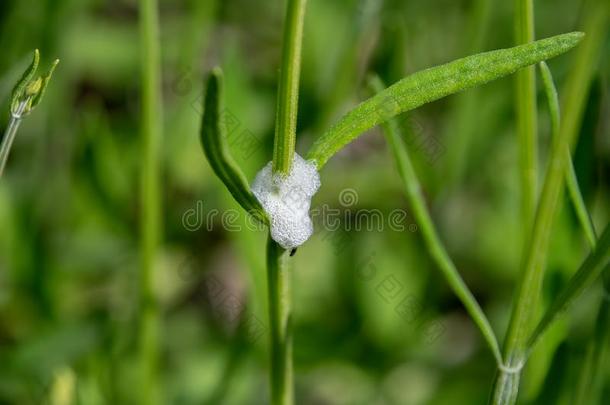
(216, 148)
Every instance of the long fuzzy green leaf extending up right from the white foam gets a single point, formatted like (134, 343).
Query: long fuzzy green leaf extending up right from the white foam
(435, 83)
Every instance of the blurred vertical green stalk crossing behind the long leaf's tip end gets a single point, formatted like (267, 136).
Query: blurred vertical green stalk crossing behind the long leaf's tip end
(526, 108)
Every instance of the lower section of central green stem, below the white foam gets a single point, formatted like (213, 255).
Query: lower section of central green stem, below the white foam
(279, 291)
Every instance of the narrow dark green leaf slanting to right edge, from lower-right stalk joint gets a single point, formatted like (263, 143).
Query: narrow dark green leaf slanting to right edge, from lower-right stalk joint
(588, 272)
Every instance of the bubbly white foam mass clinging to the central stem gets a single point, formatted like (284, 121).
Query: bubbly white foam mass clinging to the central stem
(286, 199)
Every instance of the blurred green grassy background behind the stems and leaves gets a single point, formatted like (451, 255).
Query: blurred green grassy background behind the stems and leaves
(375, 323)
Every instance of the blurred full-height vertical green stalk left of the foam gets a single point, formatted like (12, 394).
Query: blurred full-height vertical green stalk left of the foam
(150, 218)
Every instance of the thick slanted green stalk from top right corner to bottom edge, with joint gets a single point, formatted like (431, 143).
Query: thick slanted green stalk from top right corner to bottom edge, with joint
(528, 293)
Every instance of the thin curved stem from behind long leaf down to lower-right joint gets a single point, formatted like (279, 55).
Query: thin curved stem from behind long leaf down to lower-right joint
(426, 225)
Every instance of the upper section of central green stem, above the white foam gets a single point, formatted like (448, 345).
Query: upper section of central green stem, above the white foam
(288, 91)
